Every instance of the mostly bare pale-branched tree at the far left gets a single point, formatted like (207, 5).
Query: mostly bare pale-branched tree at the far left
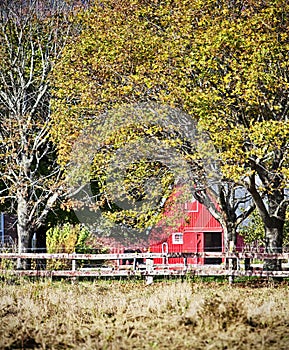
(32, 36)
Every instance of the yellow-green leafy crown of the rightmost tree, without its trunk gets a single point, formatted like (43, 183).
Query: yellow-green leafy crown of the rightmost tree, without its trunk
(241, 64)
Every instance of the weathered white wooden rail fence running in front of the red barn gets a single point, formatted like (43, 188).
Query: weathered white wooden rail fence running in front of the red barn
(109, 265)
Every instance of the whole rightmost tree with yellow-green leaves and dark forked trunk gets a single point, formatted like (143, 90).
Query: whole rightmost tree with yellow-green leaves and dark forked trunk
(239, 65)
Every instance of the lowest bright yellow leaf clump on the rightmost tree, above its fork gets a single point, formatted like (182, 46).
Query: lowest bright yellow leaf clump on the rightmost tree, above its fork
(261, 142)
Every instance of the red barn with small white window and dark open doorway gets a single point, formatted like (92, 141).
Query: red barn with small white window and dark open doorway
(199, 232)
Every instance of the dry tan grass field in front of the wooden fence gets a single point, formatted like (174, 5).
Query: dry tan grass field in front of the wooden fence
(130, 315)
